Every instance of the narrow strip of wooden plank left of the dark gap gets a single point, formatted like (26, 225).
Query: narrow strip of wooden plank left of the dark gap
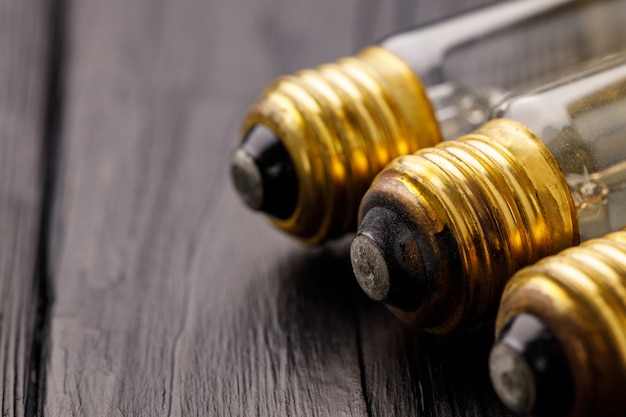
(25, 34)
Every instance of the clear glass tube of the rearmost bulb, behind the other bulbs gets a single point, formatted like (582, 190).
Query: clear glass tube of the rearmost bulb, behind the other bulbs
(534, 41)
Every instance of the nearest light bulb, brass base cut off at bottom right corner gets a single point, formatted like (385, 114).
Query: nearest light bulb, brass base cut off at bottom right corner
(561, 333)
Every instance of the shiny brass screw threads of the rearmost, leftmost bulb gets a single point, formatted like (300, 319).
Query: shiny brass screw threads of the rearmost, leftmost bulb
(341, 124)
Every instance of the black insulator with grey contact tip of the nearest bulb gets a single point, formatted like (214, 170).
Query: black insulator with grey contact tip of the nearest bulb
(529, 371)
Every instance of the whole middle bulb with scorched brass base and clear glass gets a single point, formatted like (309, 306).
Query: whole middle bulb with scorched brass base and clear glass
(443, 229)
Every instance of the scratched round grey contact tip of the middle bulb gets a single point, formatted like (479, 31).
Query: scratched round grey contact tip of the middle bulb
(370, 267)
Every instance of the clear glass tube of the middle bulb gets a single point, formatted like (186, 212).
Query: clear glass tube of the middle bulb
(582, 120)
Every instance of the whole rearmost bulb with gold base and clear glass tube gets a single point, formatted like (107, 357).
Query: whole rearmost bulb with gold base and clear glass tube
(314, 141)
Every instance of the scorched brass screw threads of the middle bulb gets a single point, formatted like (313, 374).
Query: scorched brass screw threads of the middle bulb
(481, 207)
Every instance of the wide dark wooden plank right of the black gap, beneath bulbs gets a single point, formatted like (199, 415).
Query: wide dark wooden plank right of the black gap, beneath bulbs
(172, 298)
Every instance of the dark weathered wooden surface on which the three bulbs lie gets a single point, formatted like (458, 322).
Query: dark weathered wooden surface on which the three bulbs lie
(133, 281)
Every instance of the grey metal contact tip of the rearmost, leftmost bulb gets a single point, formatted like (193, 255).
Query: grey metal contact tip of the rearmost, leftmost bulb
(247, 178)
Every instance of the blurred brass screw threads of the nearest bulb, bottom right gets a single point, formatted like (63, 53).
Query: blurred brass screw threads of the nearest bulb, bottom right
(580, 295)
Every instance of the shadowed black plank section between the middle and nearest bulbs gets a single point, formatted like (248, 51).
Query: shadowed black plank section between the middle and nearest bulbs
(414, 374)
